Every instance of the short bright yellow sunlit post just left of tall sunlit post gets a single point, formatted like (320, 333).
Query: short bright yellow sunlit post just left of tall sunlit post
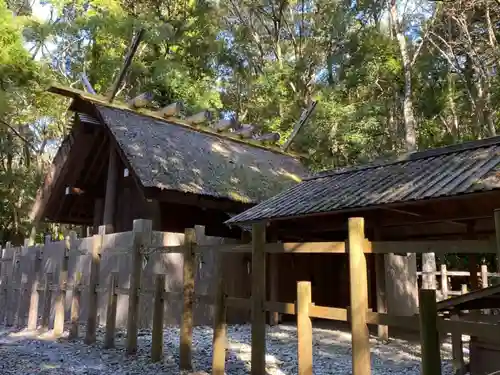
(304, 328)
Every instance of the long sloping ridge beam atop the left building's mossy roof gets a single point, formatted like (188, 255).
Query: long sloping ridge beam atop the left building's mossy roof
(100, 100)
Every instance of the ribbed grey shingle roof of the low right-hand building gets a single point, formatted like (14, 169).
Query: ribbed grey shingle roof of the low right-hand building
(443, 172)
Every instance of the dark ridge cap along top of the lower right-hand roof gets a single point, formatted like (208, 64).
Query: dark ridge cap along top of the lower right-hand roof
(411, 156)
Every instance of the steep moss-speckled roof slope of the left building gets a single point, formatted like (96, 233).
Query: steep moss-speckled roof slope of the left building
(173, 157)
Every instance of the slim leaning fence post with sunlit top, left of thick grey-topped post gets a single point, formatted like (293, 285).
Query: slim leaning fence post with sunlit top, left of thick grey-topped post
(95, 263)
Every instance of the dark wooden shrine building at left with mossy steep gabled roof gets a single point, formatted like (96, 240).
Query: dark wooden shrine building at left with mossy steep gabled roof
(117, 164)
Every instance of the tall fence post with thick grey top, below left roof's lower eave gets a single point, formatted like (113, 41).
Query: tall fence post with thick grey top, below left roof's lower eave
(142, 238)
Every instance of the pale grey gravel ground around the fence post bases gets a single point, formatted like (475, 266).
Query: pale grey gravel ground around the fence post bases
(34, 353)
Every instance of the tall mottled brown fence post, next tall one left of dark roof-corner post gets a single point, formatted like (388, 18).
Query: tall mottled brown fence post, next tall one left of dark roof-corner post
(188, 299)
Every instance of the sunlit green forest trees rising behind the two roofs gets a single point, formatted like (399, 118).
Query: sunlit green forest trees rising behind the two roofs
(389, 76)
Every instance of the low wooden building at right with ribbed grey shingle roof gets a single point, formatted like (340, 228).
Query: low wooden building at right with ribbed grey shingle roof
(448, 193)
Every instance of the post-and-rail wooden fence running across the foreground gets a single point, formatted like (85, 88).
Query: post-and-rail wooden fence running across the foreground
(143, 244)
